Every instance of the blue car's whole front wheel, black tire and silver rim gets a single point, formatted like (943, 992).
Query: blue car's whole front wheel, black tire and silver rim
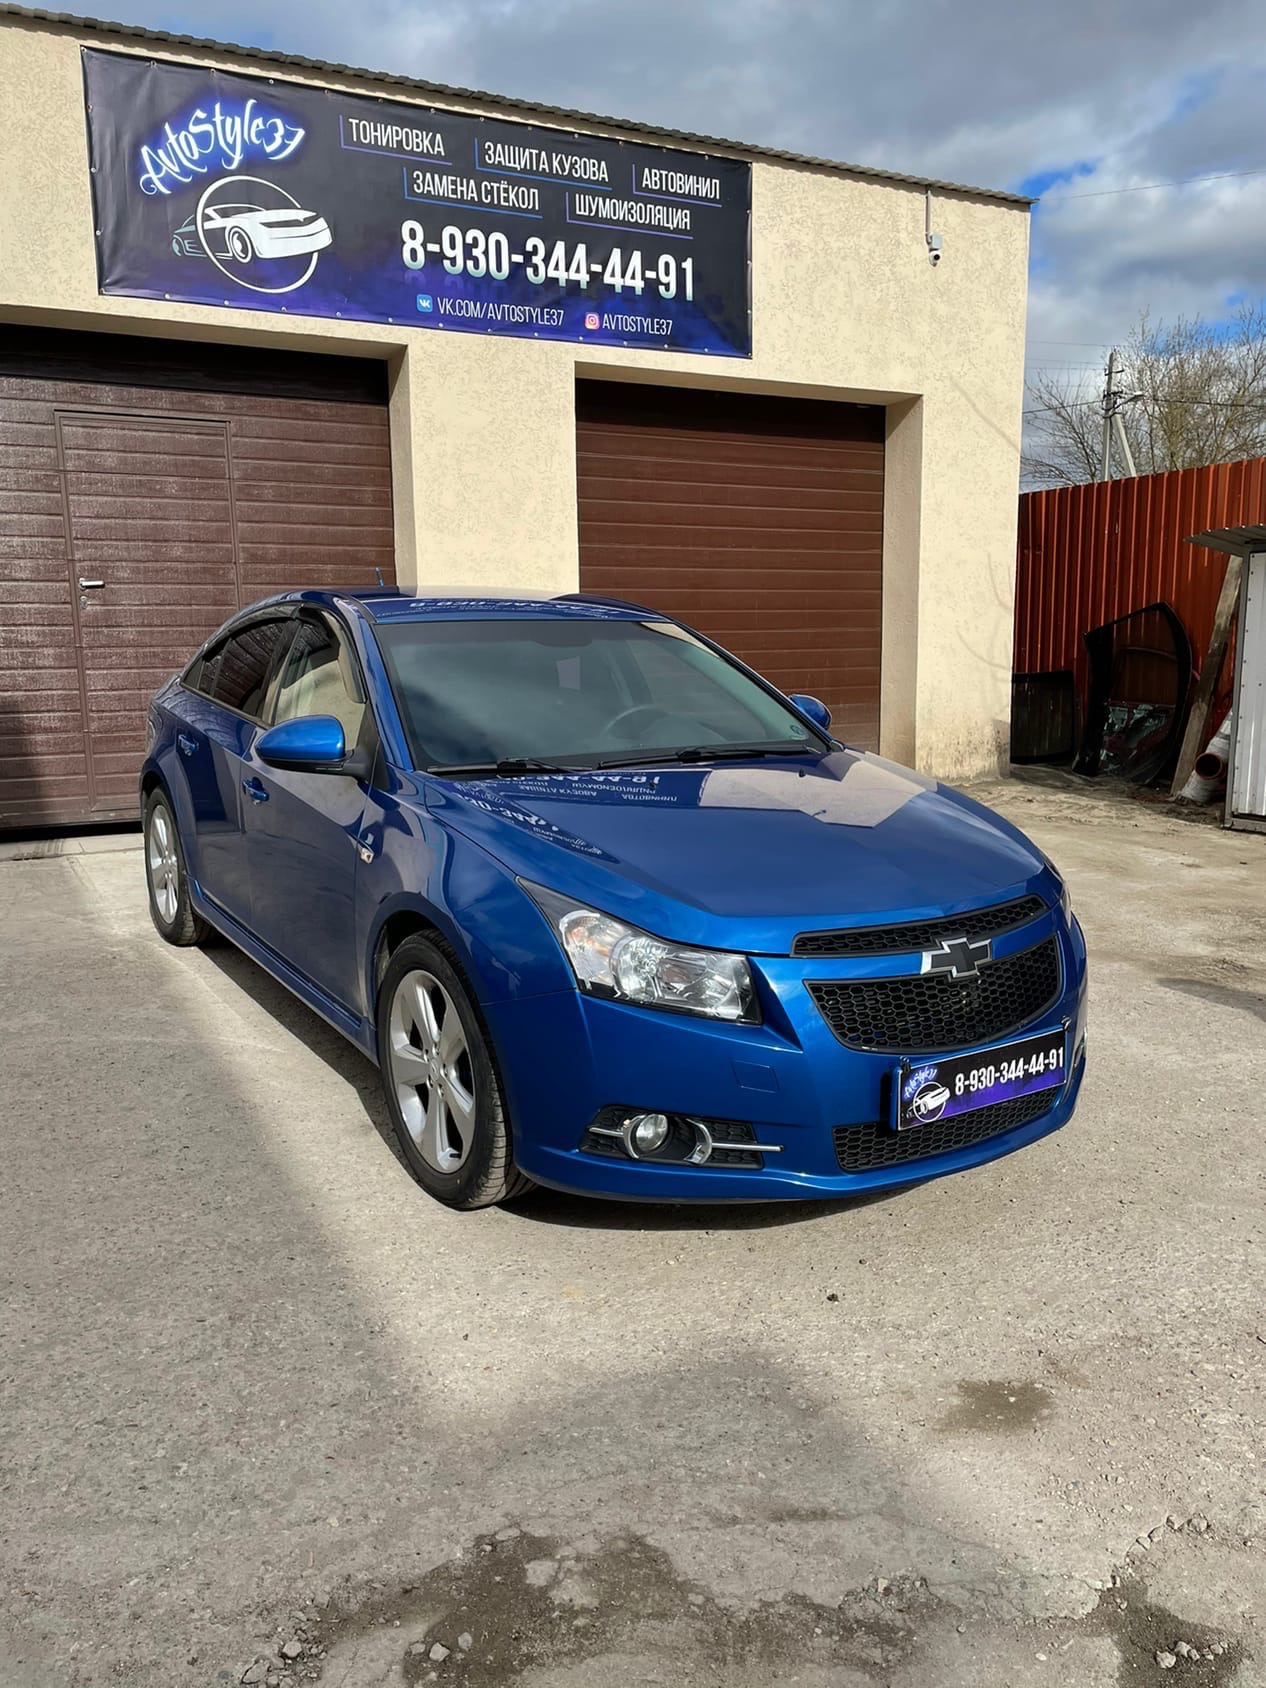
(441, 1083)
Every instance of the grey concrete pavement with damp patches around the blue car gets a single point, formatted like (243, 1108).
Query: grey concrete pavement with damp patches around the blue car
(259, 1392)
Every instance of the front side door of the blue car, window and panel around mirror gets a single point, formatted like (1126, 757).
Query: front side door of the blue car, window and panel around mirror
(305, 830)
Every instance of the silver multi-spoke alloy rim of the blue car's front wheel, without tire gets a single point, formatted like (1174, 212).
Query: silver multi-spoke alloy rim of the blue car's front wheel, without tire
(431, 1071)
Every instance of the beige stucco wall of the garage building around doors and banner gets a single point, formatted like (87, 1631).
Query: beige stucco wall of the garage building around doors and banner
(847, 306)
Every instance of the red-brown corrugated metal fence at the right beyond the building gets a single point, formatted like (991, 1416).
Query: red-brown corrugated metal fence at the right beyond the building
(1090, 555)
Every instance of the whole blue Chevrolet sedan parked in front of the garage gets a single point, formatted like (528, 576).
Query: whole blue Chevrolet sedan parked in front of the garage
(610, 912)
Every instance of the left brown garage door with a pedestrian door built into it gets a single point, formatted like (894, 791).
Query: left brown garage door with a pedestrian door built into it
(188, 484)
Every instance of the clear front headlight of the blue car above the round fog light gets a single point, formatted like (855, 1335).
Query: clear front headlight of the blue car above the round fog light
(625, 965)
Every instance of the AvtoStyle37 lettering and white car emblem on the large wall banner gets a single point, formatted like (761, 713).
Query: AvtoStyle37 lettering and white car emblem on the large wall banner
(249, 227)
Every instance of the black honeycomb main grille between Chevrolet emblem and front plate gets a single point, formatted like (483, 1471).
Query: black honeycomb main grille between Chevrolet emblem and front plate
(931, 1014)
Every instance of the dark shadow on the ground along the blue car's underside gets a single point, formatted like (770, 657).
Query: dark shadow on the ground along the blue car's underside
(548, 1208)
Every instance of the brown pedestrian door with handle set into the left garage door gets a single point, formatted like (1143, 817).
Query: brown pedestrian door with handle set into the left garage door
(151, 551)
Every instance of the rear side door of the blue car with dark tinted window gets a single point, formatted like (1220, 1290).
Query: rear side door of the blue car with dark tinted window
(225, 693)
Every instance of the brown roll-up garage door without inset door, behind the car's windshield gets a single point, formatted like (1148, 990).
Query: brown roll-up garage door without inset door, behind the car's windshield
(757, 521)
